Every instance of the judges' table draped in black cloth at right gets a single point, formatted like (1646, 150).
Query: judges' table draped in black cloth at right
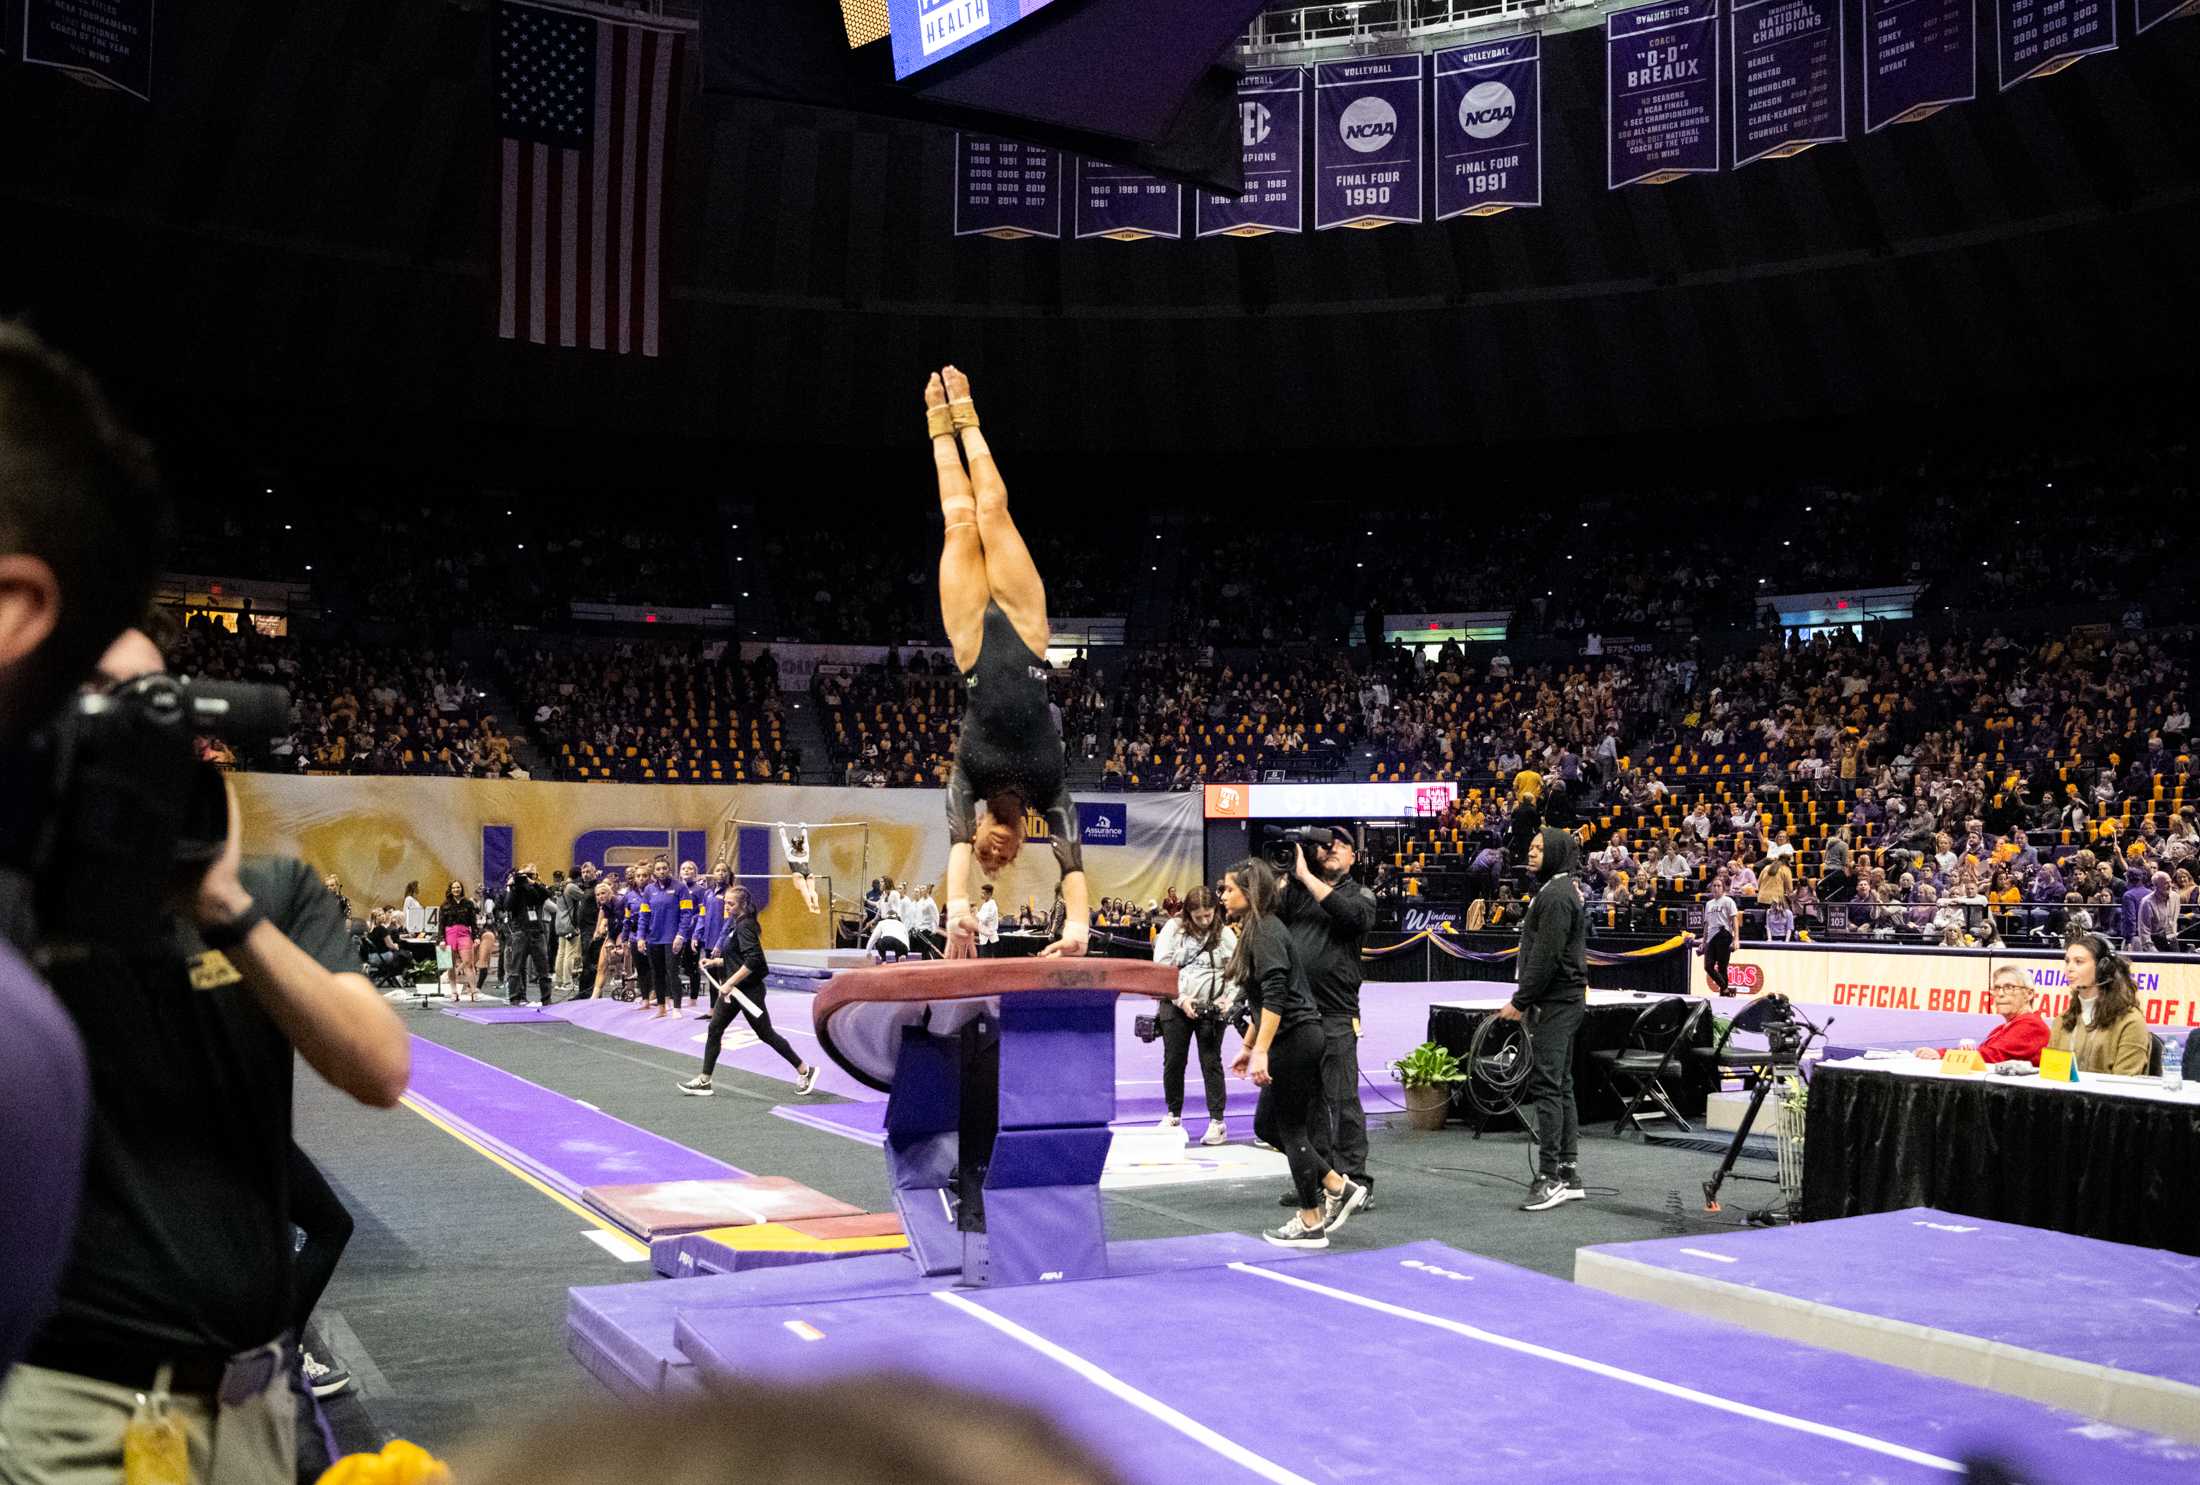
(2104, 1158)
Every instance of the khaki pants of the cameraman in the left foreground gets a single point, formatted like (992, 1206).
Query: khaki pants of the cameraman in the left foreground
(60, 1429)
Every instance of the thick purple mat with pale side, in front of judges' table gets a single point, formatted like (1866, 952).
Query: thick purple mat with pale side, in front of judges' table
(1933, 1292)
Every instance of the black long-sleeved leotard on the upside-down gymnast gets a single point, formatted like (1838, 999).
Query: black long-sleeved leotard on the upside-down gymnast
(1011, 745)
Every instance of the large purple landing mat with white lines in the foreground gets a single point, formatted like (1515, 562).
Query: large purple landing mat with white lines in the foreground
(1424, 1356)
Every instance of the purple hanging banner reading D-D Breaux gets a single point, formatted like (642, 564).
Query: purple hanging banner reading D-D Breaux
(1662, 93)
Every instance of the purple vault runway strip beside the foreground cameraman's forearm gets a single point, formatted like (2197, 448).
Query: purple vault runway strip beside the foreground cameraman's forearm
(558, 1141)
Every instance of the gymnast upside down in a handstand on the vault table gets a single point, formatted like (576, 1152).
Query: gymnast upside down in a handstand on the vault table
(1009, 758)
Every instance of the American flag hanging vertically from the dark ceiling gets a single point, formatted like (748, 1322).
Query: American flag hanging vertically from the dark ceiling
(586, 113)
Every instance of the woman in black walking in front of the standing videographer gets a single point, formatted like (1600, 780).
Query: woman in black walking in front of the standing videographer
(1284, 1055)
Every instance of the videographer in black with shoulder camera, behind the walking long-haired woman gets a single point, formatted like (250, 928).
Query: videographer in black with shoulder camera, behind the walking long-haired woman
(1330, 916)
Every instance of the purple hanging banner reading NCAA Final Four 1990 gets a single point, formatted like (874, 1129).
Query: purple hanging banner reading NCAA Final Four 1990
(1367, 142)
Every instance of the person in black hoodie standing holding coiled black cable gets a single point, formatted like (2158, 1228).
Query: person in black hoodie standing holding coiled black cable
(1554, 998)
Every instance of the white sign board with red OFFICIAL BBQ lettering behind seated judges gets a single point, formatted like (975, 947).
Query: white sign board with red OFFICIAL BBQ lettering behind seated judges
(1946, 982)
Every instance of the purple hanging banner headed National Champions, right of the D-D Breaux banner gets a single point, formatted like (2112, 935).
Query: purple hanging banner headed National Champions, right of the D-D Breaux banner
(1790, 80)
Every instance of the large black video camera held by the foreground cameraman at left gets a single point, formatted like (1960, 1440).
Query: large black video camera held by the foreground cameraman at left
(113, 793)
